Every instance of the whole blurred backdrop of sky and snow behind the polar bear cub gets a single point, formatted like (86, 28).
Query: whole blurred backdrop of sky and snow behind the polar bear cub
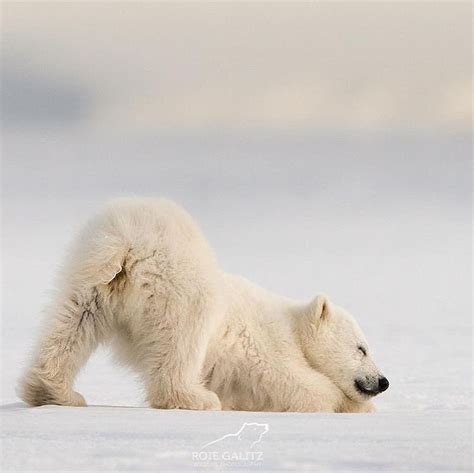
(323, 147)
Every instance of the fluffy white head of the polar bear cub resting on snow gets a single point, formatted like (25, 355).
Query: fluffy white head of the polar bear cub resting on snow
(334, 344)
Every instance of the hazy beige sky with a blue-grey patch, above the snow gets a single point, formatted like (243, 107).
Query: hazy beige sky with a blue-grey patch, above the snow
(350, 66)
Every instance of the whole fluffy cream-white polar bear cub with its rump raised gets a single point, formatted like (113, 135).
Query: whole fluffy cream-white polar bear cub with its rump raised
(142, 277)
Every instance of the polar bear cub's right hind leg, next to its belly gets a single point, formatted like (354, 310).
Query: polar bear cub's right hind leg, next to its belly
(175, 345)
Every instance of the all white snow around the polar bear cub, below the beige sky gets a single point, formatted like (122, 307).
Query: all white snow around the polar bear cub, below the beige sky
(381, 226)
